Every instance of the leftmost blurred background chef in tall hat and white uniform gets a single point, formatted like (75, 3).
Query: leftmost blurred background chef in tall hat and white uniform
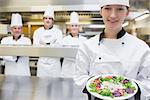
(16, 65)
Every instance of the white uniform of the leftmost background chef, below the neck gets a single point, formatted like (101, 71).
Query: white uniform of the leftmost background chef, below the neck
(21, 67)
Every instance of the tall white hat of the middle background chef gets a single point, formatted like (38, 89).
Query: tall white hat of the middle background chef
(49, 12)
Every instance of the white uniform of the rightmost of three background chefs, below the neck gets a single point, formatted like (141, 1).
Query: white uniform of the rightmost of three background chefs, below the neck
(68, 65)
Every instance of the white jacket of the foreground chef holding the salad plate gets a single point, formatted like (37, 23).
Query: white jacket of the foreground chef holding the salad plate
(127, 56)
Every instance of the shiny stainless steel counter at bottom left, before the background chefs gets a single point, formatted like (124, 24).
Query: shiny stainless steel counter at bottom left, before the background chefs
(33, 88)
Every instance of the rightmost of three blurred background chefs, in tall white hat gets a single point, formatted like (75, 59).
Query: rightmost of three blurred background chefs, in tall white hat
(72, 40)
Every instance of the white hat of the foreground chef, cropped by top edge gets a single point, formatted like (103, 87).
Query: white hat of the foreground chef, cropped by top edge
(112, 2)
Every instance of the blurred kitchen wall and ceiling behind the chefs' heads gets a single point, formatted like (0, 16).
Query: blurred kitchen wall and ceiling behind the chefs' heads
(32, 11)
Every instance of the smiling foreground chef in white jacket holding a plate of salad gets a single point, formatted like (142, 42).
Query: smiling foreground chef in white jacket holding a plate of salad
(114, 51)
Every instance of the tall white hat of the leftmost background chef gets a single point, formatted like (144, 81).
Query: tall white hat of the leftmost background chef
(16, 20)
